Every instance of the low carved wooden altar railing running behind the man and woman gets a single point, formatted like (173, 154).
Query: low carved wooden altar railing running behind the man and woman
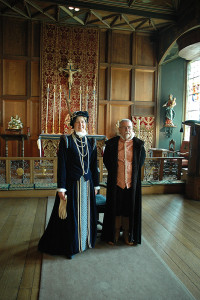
(43, 170)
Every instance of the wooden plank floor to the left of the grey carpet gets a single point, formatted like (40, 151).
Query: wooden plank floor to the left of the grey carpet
(21, 225)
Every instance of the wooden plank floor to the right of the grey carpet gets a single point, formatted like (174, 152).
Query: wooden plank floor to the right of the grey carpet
(171, 224)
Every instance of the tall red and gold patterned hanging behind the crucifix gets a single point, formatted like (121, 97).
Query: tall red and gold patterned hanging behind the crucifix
(61, 45)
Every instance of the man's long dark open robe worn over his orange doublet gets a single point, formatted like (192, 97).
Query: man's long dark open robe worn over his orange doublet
(110, 159)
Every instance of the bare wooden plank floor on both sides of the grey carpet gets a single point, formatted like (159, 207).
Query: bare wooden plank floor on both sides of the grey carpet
(171, 224)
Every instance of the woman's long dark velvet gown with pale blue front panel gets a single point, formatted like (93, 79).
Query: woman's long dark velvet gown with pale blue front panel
(62, 237)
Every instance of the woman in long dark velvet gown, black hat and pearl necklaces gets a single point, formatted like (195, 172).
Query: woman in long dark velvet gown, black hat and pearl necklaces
(72, 225)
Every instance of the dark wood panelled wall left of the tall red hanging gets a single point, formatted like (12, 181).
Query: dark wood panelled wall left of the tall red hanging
(20, 80)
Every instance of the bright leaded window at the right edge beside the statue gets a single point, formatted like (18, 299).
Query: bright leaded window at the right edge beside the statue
(193, 95)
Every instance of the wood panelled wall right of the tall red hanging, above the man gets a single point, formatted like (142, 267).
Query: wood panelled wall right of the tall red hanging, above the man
(127, 78)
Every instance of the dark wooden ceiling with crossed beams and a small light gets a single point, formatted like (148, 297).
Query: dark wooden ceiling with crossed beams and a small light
(132, 15)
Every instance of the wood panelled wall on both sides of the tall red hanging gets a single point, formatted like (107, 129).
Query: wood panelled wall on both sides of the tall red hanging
(127, 79)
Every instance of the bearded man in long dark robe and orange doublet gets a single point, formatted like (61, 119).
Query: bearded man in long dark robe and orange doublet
(123, 157)
